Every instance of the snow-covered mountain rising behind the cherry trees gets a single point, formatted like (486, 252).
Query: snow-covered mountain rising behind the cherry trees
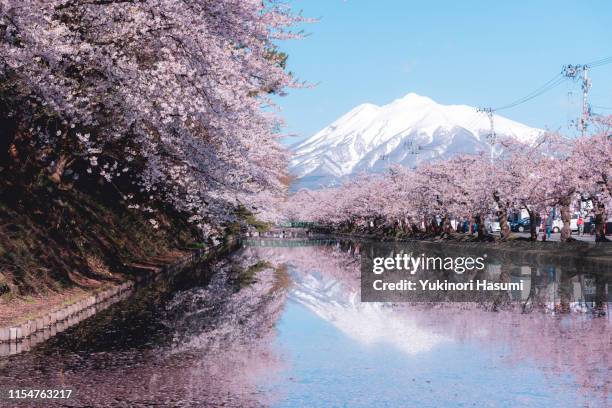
(407, 131)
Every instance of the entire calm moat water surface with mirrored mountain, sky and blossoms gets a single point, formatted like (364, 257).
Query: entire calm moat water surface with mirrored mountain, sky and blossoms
(281, 324)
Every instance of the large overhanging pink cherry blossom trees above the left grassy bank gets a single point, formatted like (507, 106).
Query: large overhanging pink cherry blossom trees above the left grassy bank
(168, 101)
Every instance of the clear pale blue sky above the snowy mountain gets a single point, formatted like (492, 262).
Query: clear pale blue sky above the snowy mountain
(480, 53)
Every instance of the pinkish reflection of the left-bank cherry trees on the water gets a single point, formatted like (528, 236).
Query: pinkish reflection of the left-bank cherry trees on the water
(221, 351)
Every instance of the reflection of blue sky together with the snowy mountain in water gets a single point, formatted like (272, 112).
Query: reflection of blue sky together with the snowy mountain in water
(340, 352)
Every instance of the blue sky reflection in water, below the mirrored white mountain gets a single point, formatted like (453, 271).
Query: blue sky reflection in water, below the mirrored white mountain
(328, 368)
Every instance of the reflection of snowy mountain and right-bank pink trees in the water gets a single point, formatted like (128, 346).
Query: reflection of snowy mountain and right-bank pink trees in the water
(561, 334)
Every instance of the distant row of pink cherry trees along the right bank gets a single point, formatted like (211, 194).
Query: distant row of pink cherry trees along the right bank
(554, 172)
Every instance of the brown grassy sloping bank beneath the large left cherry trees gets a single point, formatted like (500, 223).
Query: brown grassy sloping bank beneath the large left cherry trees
(61, 247)
